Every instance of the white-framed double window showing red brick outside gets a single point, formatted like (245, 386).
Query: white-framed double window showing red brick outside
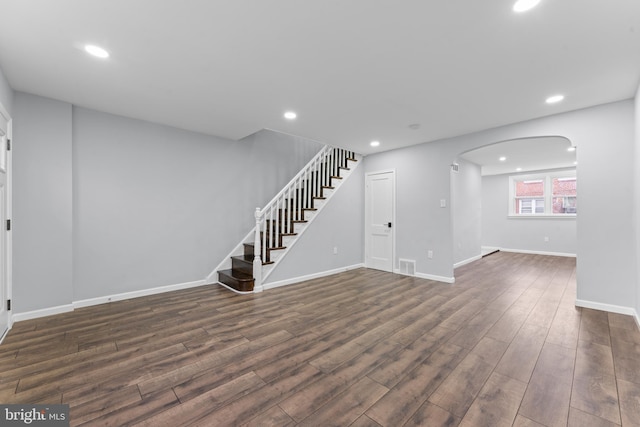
(553, 194)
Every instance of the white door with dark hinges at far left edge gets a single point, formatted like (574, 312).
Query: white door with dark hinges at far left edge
(4, 208)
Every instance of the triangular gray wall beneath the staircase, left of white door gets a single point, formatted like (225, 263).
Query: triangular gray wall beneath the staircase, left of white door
(339, 224)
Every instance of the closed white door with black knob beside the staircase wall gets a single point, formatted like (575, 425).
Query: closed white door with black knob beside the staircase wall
(380, 220)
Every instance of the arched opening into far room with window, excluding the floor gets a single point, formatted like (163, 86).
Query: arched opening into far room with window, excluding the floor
(516, 195)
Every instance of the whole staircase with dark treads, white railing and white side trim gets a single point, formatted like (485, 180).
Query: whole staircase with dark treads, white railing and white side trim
(284, 219)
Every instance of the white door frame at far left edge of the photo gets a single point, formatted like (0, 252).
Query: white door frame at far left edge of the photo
(9, 235)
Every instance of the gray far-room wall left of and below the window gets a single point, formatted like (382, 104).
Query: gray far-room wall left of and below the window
(525, 234)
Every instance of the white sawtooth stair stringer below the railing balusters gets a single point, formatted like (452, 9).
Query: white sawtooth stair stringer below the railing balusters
(309, 216)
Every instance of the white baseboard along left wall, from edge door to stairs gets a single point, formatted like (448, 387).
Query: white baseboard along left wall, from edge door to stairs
(103, 300)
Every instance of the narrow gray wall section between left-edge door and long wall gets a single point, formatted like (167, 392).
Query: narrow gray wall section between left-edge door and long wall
(42, 203)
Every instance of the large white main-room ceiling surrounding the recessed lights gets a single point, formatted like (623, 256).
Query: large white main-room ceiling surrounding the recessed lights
(353, 70)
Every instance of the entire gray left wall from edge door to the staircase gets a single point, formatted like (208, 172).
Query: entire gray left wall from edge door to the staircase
(105, 204)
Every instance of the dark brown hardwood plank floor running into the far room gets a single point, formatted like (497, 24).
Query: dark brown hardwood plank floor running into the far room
(502, 346)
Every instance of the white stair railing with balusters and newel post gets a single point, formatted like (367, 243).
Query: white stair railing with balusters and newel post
(276, 219)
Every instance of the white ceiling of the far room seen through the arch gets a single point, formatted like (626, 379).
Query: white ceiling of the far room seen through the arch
(523, 155)
